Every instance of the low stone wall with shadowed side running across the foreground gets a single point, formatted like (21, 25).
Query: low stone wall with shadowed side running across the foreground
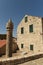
(12, 61)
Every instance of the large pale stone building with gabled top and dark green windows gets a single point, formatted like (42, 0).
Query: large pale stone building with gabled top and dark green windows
(30, 34)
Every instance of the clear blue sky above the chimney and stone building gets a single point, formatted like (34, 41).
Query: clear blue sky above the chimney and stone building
(16, 9)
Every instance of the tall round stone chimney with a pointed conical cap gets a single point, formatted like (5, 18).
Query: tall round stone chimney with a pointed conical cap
(9, 28)
